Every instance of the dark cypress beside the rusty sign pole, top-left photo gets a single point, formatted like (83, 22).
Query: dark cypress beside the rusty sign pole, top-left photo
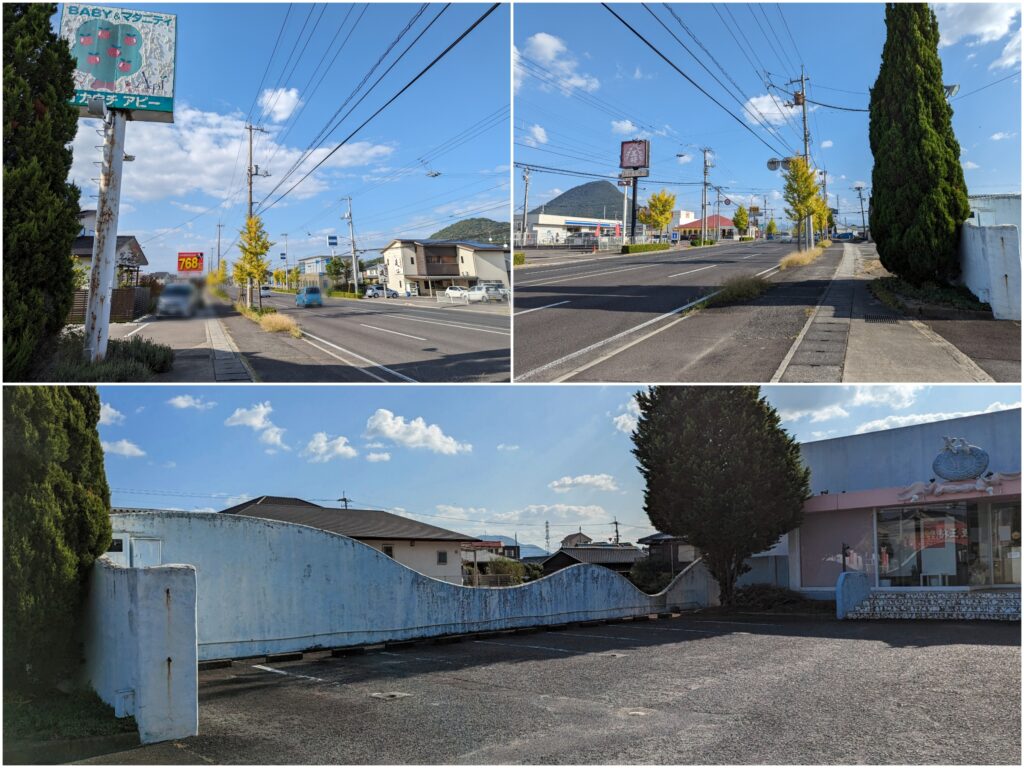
(40, 208)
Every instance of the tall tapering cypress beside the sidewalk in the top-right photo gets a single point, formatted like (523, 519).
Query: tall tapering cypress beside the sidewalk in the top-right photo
(919, 198)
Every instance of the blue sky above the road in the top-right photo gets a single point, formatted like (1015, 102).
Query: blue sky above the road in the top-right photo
(587, 83)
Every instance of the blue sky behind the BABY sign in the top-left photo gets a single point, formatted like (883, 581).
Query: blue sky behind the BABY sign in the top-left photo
(185, 169)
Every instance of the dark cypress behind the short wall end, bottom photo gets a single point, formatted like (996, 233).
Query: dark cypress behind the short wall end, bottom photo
(56, 523)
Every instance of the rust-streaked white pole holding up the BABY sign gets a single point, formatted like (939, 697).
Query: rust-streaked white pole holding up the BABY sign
(105, 242)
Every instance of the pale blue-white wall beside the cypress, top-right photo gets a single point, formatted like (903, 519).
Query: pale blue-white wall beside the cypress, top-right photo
(991, 267)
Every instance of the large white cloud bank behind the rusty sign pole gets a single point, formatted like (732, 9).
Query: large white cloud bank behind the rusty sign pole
(198, 154)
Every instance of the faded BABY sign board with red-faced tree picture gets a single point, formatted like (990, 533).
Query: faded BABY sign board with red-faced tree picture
(126, 57)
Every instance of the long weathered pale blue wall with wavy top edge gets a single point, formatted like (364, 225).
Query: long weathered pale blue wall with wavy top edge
(268, 587)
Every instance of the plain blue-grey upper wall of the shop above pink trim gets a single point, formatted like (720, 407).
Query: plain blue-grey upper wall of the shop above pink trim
(900, 457)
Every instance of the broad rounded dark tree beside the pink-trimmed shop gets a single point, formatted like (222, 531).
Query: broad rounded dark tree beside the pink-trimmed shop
(720, 473)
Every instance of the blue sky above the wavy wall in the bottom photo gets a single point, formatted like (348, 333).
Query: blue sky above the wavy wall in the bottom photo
(495, 459)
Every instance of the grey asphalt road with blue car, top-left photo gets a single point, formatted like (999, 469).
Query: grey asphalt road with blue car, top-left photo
(402, 344)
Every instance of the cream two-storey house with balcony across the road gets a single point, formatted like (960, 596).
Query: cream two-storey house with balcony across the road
(426, 268)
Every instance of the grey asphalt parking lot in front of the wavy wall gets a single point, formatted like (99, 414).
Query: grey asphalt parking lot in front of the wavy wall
(698, 689)
